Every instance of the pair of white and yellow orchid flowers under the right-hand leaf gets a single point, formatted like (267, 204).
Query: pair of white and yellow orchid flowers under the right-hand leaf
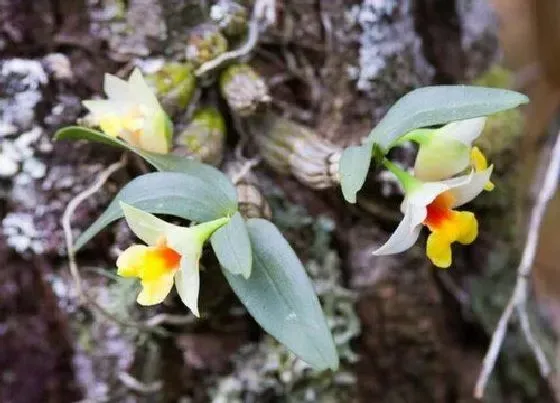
(434, 192)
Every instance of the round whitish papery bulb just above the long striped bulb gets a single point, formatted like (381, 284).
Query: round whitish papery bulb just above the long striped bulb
(243, 88)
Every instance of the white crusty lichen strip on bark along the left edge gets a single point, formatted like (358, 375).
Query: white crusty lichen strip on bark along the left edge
(22, 142)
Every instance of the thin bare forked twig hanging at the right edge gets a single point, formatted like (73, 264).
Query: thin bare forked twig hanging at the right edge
(518, 299)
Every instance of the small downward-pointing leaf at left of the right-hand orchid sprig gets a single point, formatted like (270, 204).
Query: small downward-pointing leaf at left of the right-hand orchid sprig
(354, 166)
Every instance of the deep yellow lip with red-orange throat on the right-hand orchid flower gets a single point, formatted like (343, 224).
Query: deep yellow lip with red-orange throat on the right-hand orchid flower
(447, 226)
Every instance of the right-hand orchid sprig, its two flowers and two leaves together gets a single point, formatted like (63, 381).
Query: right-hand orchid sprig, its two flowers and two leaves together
(432, 193)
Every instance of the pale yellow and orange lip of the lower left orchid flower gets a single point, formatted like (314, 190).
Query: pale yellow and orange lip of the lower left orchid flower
(155, 266)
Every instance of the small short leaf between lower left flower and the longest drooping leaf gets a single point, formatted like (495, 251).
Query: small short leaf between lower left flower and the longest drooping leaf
(232, 247)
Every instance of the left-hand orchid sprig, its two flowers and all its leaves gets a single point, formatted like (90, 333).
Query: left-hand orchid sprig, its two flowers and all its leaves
(254, 257)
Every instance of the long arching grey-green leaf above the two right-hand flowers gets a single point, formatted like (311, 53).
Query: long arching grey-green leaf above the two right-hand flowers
(430, 106)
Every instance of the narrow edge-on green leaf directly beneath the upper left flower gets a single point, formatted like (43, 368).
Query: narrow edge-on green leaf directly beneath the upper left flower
(162, 162)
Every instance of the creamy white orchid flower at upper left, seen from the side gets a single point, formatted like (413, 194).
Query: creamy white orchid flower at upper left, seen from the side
(133, 113)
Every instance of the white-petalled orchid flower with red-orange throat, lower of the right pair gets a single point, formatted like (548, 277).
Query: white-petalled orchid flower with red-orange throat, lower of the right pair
(432, 204)
